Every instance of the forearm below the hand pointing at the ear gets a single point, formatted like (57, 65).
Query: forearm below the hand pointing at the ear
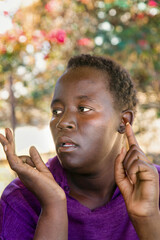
(147, 228)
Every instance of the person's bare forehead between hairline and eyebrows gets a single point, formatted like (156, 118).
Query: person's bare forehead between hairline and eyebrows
(83, 84)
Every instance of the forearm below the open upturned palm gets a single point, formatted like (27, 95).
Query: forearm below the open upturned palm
(52, 224)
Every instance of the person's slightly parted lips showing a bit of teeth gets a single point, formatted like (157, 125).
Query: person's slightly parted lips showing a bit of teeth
(65, 144)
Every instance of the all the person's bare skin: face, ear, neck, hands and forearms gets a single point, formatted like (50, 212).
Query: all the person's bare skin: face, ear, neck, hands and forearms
(88, 132)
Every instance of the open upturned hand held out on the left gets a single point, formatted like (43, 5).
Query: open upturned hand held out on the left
(39, 180)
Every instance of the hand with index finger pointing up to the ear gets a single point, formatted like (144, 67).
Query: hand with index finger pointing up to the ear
(137, 179)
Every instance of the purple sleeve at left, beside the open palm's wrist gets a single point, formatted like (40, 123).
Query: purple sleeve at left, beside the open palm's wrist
(19, 214)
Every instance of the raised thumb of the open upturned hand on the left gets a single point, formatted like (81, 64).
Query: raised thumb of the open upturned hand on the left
(37, 160)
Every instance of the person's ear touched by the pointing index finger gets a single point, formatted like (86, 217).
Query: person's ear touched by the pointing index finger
(127, 116)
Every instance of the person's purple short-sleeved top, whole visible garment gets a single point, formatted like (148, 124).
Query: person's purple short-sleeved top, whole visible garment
(19, 212)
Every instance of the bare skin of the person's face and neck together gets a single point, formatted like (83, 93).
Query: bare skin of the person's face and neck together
(79, 114)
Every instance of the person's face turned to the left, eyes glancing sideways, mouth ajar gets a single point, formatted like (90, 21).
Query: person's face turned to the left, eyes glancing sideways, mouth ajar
(84, 122)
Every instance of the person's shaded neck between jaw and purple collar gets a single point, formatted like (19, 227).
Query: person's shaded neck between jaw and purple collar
(95, 189)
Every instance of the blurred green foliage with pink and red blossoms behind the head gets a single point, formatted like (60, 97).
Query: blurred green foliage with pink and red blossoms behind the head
(46, 34)
